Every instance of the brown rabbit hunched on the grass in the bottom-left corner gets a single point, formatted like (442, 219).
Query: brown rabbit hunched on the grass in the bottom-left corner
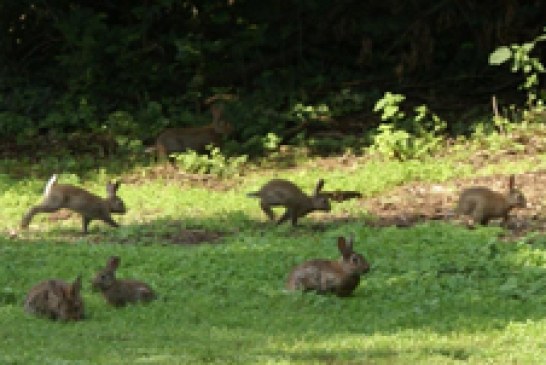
(56, 299)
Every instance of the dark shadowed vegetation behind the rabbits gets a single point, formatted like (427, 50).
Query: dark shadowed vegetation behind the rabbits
(80, 73)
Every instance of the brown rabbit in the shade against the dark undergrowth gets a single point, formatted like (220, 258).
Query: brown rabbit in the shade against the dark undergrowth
(194, 138)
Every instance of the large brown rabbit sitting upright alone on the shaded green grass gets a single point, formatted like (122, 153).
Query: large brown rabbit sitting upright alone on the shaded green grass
(329, 276)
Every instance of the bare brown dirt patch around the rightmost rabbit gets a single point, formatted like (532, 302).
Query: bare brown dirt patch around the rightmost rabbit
(417, 202)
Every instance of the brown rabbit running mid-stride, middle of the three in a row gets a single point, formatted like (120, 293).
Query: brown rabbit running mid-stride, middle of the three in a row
(278, 192)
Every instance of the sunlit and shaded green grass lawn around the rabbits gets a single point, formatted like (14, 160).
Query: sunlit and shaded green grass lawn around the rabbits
(437, 293)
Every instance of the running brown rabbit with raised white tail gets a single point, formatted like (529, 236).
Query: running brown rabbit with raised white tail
(90, 206)
